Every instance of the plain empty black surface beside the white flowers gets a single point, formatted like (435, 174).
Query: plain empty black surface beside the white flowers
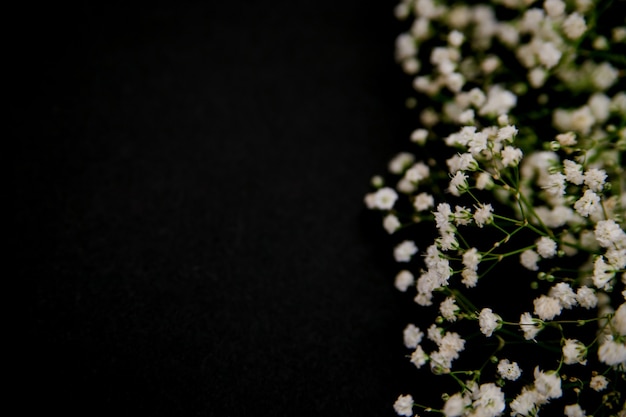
(188, 208)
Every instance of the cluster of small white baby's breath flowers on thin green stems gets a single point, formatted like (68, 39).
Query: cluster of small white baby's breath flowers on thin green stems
(516, 193)
